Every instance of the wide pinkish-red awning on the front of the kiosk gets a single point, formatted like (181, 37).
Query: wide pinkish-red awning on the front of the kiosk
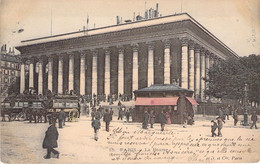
(156, 101)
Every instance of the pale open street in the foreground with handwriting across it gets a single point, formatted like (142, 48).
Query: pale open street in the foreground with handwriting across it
(21, 142)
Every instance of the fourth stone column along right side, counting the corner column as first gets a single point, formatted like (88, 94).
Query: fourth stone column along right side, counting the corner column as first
(202, 69)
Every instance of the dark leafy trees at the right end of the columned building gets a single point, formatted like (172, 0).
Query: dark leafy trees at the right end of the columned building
(227, 80)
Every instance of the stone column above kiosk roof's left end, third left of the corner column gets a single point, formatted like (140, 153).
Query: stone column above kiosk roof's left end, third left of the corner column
(135, 69)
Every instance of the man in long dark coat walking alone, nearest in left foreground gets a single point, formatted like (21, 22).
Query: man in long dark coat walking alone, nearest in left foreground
(50, 141)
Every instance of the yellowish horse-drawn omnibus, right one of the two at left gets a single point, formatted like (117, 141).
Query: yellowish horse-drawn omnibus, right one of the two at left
(69, 103)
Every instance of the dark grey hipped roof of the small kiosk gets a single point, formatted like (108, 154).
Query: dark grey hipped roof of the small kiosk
(162, 88)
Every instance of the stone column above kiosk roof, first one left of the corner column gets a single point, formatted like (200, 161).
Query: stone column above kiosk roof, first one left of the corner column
(167, 68)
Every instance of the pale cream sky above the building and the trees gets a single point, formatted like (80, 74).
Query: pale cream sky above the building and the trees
(235, 22)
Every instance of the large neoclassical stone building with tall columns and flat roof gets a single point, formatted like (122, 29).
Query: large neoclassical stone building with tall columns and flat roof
(122, 58)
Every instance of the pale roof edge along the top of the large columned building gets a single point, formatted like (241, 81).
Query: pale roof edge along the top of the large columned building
(125, 26)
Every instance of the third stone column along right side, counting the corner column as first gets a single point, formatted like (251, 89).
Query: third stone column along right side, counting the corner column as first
(197, 72)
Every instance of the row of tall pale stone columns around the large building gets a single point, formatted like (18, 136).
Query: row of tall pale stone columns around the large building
(195, 62)
